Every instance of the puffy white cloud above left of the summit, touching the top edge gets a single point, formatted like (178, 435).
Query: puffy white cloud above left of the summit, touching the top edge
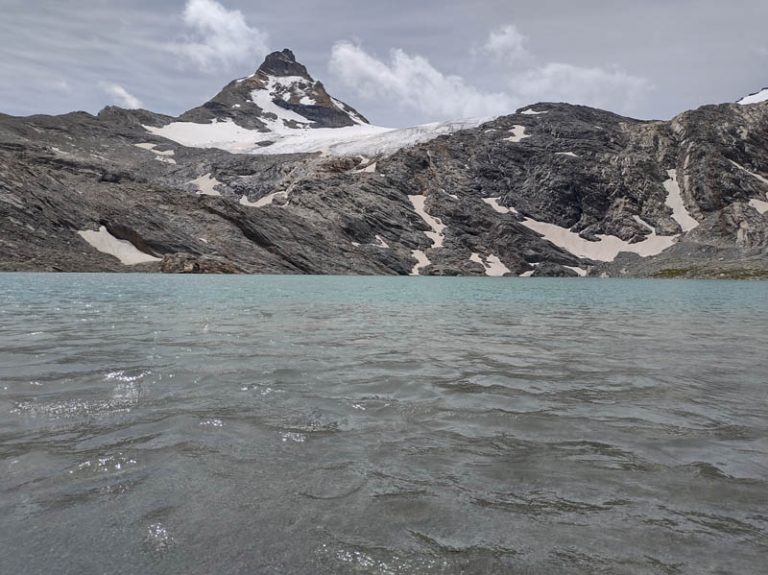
(218, 36)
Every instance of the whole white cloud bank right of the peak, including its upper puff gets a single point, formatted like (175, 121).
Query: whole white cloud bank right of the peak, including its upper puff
(413, 82)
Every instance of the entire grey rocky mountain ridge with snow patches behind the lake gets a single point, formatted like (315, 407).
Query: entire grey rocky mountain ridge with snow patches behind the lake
(274, 175)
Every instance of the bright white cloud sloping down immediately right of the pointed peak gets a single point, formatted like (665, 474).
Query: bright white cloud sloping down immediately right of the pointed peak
(414, 83)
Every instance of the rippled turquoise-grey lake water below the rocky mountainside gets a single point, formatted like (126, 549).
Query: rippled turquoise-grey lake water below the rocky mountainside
(217, 425)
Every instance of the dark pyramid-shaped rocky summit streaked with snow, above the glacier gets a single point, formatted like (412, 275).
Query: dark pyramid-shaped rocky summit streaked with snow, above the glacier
(281, 95)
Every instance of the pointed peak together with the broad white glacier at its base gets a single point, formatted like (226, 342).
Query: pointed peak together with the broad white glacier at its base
(281, 109)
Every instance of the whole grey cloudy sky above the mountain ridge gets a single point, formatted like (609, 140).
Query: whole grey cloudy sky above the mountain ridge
(399, 62)
